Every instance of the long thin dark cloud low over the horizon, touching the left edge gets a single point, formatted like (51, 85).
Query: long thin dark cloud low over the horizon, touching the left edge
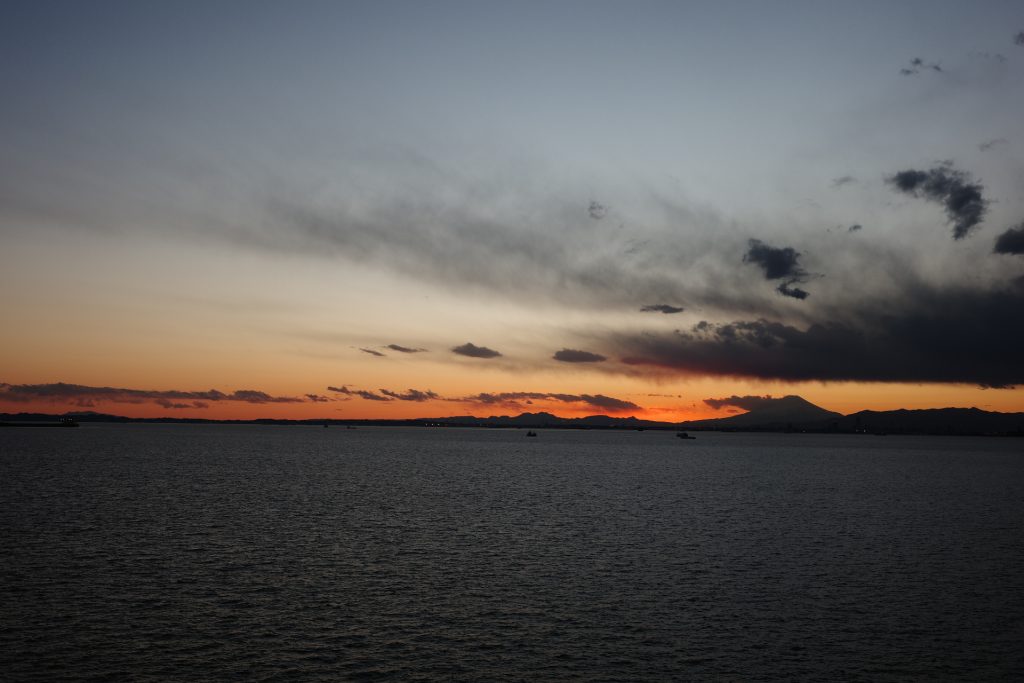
(63, 392)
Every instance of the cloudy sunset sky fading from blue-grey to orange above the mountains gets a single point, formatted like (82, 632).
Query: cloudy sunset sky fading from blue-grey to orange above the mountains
(407, 209)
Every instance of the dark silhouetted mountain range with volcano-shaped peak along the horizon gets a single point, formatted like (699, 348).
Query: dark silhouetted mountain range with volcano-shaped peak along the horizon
(785, 414)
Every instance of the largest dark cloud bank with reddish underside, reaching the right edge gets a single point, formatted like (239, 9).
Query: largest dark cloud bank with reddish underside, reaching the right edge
(951, 336)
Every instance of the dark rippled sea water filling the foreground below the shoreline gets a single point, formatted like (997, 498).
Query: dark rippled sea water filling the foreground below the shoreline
(295, 553)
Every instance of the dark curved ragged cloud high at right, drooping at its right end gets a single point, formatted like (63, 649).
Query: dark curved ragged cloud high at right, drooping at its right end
(956, 190)
